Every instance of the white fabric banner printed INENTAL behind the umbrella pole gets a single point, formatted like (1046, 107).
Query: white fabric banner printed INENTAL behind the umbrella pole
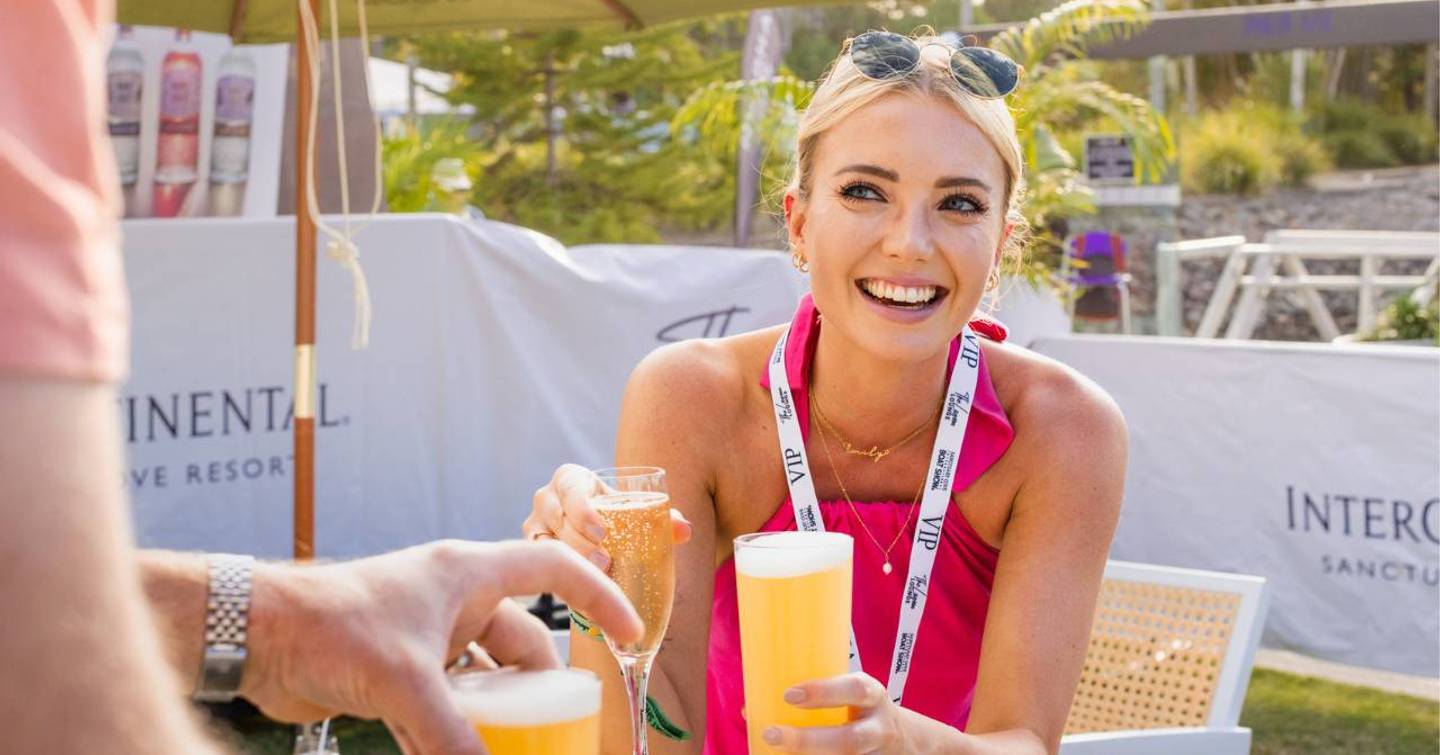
(496, 355)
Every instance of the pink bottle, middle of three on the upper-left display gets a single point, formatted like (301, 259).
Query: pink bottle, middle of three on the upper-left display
(178, 151)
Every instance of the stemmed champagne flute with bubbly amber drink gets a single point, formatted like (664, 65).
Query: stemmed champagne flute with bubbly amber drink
(636, 508)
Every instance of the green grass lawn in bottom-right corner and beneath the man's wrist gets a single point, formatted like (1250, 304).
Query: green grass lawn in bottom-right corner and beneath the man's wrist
(1291, 715)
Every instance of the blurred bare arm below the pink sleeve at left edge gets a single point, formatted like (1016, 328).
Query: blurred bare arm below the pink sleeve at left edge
(81, 668)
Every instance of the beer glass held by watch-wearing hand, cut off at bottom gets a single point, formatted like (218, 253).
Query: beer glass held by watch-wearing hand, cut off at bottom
(532, 712)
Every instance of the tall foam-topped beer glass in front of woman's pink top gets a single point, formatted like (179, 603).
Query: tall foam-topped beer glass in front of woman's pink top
(794, 594)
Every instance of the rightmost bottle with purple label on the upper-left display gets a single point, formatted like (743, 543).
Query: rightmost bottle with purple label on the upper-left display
(231, 148)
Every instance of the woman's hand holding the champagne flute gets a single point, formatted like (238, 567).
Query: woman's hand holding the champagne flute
(562, 511)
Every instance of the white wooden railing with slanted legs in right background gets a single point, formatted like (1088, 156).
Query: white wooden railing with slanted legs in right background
(1255, 270)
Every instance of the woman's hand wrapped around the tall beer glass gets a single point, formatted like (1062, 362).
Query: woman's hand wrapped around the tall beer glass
(876, 725)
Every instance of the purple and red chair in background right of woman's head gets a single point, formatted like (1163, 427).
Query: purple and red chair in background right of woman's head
(1094, 264)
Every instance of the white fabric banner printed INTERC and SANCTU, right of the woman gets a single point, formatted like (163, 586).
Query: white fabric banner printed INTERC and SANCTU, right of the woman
(1314, 466)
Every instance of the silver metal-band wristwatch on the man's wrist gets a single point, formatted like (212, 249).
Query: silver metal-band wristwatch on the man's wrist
(227, 629)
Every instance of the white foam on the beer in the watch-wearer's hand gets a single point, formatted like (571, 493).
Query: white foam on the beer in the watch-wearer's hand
(528, 698)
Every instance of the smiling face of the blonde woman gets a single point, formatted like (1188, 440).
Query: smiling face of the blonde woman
(904, 221)
